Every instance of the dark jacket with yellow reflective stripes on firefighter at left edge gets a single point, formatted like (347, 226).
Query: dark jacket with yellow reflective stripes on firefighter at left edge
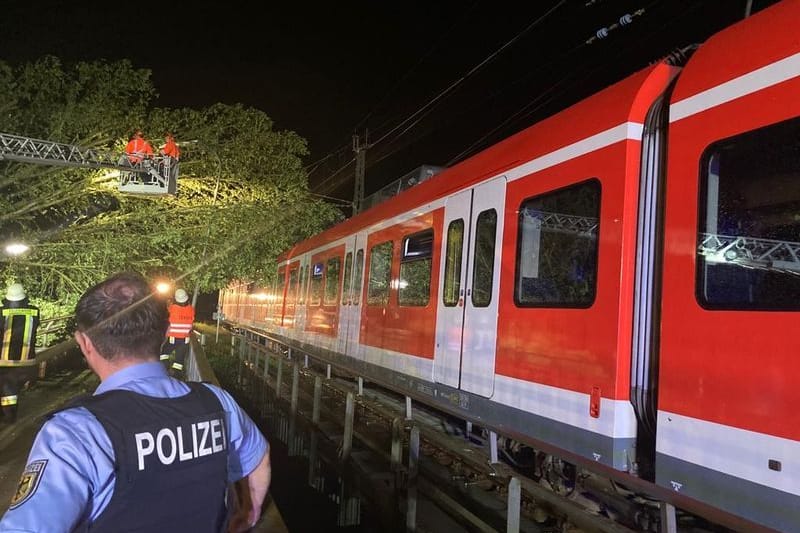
(20, 322)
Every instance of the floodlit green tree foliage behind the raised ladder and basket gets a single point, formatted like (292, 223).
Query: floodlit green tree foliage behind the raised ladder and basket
(242, 193)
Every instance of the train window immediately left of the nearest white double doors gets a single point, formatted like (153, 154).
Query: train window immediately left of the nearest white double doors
(414, 288)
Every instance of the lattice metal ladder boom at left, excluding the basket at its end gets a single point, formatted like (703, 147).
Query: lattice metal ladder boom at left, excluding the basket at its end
(27, 150)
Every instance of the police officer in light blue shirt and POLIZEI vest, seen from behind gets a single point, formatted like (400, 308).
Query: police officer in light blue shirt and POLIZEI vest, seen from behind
(146, 452)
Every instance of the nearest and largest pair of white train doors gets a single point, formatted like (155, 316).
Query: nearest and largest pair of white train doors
(466, 333)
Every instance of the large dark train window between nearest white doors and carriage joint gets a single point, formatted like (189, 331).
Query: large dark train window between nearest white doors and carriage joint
(557, 249)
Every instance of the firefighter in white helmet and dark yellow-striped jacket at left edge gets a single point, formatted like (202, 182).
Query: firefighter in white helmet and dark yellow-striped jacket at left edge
(18, 357)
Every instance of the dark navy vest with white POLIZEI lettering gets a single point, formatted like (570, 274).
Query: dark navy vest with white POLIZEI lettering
(171, 461)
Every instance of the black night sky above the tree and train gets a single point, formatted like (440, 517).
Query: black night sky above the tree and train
(328, 70)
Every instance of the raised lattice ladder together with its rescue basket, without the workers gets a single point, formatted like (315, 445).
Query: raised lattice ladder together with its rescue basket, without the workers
(156, 176)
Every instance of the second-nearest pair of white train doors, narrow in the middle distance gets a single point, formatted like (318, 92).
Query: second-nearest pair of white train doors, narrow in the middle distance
(350, 304)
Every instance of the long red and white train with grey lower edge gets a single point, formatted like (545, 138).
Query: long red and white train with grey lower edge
(618, 284)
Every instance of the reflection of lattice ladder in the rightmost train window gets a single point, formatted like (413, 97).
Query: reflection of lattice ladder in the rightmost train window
(751, 252)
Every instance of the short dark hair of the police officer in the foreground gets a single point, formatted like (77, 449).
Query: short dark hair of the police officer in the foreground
(122, 317)
